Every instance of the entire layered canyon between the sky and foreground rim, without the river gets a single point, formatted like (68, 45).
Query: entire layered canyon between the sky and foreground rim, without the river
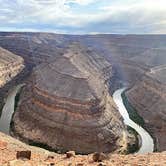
(69, 82)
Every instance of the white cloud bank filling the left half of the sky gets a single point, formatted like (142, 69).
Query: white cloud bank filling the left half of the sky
(56, 12)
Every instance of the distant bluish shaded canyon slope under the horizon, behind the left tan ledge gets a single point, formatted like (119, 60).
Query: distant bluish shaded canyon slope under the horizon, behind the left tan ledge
(35, 48)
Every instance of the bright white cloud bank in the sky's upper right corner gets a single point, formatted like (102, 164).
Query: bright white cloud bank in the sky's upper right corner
(150, 14)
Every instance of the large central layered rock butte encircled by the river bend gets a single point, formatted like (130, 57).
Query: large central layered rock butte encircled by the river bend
(66, 105)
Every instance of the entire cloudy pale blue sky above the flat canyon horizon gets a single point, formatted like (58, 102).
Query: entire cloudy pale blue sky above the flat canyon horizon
(84, 16)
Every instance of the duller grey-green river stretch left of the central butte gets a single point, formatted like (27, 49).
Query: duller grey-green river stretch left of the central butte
(8, 110)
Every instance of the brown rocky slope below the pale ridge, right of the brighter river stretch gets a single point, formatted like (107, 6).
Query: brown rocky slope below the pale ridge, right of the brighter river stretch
(148, 96)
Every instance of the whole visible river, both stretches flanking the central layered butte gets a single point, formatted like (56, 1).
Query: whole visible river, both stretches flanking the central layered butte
(147, 144)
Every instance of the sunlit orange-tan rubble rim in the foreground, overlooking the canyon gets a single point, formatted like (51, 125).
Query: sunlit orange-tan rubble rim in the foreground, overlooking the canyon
(9, 147)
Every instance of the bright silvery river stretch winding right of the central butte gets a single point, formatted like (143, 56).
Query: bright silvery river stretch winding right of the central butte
(147, 144)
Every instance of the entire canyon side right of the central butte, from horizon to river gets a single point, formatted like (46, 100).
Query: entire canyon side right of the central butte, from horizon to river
(140, 61)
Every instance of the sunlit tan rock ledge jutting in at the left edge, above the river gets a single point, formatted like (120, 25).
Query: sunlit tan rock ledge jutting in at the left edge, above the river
(10, 66)
